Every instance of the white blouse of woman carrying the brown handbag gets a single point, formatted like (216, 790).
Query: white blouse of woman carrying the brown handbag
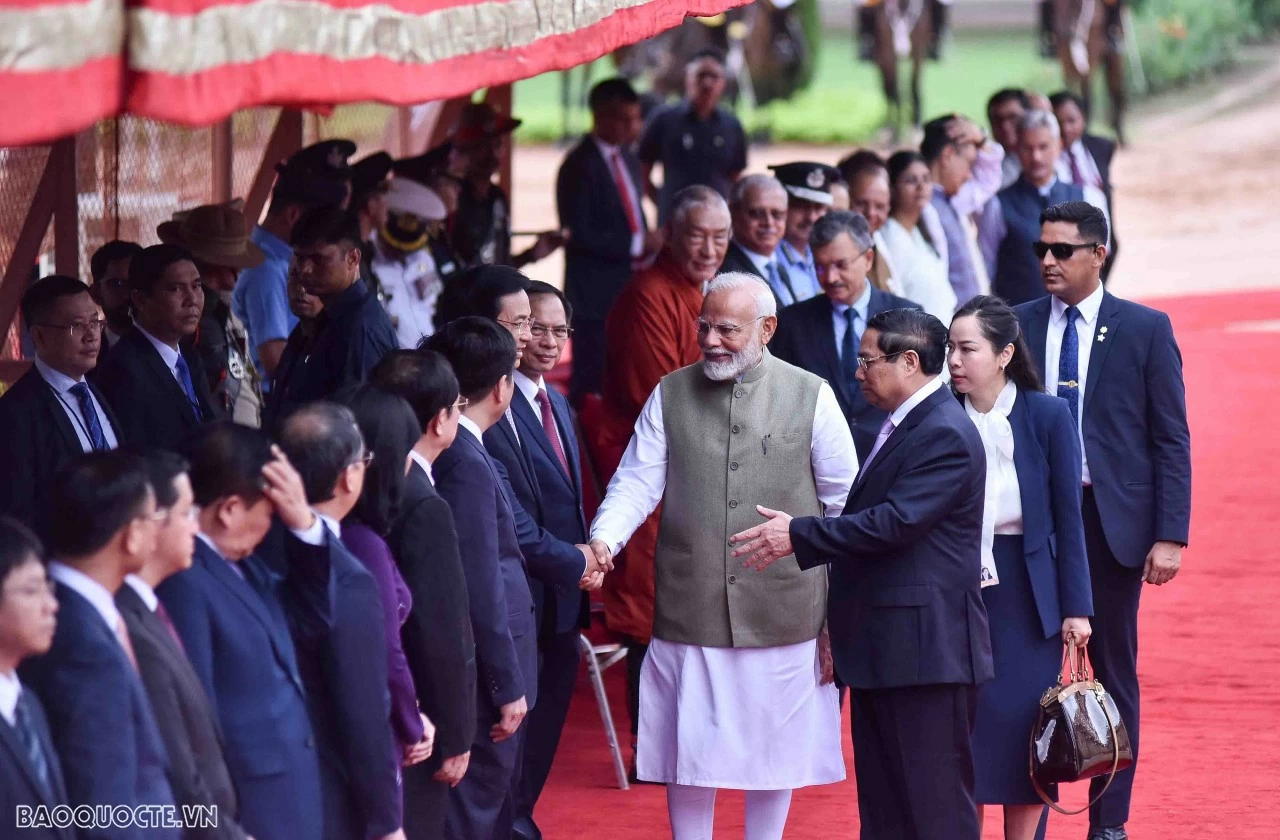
(1003, 506)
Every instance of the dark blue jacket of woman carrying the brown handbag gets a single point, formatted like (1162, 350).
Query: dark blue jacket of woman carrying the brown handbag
(1048, 459)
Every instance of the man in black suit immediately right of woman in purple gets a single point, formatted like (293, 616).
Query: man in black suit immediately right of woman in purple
(438, 641)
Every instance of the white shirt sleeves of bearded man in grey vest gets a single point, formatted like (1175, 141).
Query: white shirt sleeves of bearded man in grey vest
(642, 478)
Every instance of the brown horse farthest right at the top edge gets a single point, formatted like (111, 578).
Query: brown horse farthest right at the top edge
(1085, 44)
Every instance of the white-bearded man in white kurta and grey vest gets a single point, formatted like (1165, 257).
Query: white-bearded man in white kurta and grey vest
(733, 693)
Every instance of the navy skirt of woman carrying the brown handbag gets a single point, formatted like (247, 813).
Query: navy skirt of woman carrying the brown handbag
(1026, 665)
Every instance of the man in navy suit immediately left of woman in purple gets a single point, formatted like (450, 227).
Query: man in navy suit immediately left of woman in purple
(344, 661)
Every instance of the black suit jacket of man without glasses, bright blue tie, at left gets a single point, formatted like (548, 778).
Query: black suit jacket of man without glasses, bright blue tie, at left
(152, 407)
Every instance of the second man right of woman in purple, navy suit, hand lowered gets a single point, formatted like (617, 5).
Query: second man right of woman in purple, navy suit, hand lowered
(483, 357)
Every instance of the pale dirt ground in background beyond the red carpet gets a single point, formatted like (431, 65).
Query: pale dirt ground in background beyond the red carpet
(1195, 203)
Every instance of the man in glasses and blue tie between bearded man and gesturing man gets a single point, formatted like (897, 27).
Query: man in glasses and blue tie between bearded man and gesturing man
(824, 334)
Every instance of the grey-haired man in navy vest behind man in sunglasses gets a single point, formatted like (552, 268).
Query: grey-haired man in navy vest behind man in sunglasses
(1008, 236)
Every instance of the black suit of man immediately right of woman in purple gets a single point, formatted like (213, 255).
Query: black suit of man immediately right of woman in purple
(438, 645)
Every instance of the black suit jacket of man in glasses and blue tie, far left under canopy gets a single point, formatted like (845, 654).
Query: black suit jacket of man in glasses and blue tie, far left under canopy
(36, 439)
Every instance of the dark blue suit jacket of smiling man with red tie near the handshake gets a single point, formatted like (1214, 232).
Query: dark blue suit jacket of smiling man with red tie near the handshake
(548, 510)
